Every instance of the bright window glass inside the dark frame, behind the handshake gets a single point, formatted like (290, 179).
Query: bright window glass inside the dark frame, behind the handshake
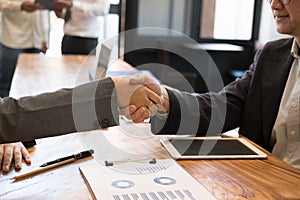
(227, 19)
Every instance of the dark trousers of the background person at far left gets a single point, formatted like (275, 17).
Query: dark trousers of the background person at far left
(8, 62)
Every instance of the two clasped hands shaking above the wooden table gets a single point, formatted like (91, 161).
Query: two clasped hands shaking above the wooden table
(140, 97)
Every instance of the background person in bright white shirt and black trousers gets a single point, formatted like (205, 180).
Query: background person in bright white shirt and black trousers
(82, 24)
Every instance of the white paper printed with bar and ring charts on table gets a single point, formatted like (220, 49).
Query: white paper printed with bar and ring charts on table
(162, 180)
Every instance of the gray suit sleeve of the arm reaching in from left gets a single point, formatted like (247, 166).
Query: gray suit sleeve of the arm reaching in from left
(86, 107)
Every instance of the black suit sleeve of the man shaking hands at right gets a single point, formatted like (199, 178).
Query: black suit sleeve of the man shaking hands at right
(206, 114)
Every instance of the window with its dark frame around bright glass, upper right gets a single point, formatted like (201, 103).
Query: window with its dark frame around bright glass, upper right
(226, 21)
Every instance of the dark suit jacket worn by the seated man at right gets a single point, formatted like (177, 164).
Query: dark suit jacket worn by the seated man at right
(252, 102)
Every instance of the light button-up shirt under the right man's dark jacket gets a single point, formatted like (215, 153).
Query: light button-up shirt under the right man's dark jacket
(286, 130)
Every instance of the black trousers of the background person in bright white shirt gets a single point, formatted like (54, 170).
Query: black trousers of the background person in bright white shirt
(78, 45)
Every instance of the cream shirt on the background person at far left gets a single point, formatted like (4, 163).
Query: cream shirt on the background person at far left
(21, 29)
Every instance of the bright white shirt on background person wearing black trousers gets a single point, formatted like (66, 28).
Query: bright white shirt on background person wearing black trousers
(85, 18)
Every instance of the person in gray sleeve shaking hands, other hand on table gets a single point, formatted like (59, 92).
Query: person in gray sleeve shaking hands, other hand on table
(52, 114)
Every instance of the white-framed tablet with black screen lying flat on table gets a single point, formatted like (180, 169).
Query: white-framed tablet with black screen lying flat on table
(211, 148)
